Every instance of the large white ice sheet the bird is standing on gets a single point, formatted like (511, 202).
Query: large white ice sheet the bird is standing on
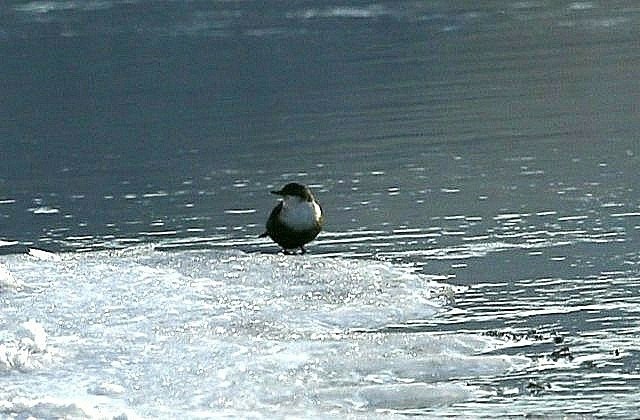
(224, 333)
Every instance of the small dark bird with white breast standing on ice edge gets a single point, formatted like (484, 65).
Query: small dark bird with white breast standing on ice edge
(296, 220)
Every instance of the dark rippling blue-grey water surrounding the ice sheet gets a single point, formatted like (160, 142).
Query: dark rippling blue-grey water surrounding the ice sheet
(493, 143)
